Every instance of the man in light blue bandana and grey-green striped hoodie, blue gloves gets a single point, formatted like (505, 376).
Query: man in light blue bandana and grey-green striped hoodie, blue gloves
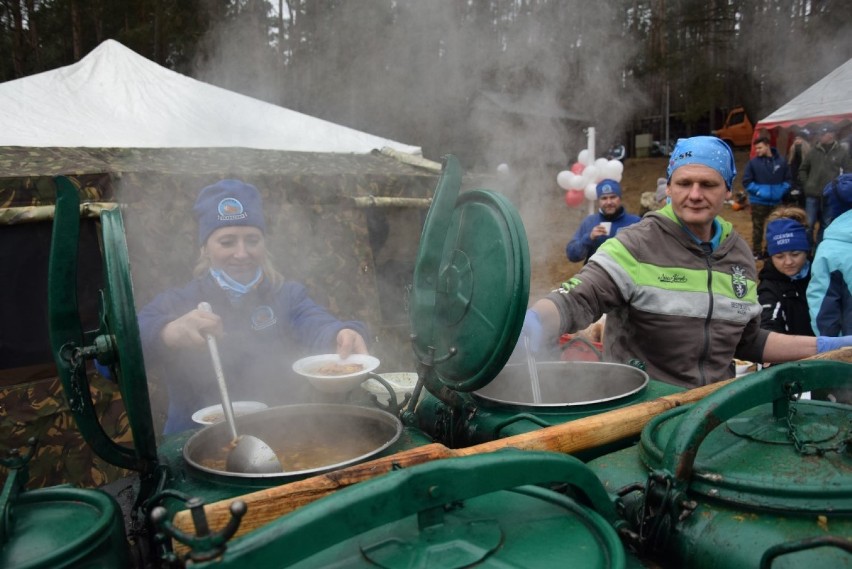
(679, 288)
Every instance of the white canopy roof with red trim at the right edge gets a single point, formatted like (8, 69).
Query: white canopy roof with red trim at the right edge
(827, 100)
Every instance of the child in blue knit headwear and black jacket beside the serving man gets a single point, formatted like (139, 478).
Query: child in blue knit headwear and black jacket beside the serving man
(782, 290)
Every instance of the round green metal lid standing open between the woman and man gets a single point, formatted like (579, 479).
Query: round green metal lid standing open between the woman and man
(471, 283)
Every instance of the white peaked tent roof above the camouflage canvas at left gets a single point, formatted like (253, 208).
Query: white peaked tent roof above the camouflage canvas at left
(116, 98)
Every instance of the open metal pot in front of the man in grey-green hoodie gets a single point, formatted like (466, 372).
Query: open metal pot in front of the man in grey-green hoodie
(564, 384)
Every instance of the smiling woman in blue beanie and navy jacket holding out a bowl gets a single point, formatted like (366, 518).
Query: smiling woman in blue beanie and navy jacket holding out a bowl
(263, 322)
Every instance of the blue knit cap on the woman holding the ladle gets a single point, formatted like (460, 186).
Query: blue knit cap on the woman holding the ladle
(227, 203)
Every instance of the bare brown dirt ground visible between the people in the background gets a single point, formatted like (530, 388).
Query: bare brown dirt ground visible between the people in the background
(550, 223)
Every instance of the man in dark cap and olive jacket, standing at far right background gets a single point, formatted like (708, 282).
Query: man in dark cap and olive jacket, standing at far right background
(826, 160)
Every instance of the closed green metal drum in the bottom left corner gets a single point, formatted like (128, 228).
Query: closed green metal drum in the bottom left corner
(62, 527)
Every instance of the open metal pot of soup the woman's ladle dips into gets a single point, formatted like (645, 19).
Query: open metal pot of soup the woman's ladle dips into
(308, 439)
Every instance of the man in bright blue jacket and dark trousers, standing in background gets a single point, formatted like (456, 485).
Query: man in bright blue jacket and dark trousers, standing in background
(767, 181)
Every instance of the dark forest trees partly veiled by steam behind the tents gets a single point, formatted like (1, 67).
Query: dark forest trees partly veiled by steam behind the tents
(494, 81)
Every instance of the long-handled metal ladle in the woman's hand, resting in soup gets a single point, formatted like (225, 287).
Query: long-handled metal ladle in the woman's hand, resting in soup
(249, 454)
